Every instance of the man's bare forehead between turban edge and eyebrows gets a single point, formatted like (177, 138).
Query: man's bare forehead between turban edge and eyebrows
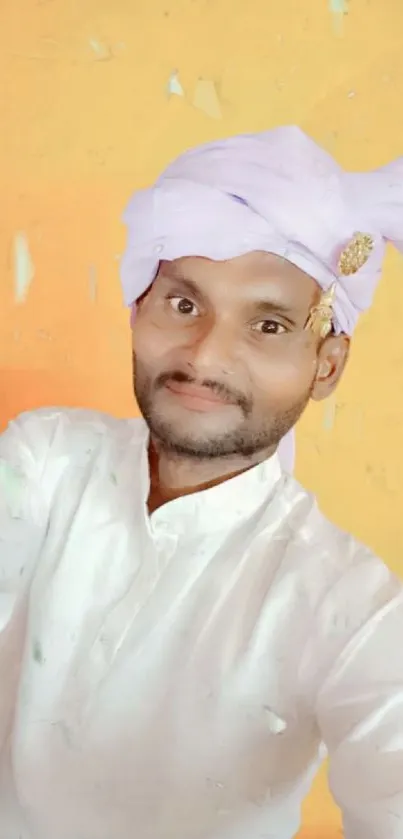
(245, 279)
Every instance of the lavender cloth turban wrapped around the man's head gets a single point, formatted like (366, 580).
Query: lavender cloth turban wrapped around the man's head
(278, 192)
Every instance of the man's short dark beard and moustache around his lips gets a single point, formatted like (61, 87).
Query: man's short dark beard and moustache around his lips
(251, 436)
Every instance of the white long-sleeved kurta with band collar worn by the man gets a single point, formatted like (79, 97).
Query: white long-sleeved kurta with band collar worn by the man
(173, 677)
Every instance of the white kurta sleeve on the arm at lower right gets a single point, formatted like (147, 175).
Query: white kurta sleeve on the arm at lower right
(359, 704)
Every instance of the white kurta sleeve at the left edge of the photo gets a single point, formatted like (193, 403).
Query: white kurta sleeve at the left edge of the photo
(23, 522)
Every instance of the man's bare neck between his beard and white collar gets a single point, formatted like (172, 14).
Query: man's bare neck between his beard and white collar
(173, 476)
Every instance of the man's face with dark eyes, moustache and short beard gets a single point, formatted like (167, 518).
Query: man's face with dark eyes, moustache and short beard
(223, 365)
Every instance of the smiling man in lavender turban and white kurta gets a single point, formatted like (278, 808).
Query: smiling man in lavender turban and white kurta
(182, 633)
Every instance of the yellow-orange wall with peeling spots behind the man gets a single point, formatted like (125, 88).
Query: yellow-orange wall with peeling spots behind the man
(85, 119)
